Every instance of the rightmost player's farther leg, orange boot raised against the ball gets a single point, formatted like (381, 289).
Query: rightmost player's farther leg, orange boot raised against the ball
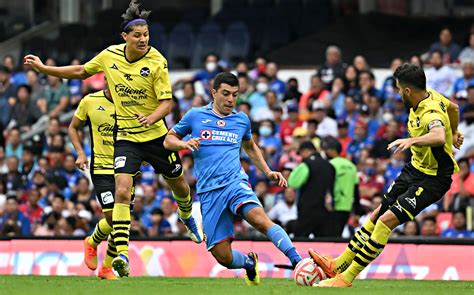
(331, 266)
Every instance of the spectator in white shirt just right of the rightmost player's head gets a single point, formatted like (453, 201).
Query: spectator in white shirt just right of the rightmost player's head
(440, 77)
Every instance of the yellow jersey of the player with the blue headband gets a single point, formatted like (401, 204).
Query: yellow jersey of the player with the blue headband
(137, 88)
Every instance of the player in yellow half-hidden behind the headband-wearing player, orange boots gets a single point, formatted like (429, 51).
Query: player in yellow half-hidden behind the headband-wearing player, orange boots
(98, 110)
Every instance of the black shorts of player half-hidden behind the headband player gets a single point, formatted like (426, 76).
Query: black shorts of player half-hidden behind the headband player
(104, 186)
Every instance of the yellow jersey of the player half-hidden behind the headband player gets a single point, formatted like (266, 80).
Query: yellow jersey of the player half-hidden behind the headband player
(99, 112)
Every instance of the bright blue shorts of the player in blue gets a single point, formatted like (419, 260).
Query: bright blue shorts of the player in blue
(218, 208)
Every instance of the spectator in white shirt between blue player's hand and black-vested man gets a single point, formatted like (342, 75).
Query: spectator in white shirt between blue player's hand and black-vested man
(285, 210)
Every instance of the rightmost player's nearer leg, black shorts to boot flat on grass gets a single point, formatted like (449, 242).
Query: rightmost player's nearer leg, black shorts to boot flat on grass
(421, 193)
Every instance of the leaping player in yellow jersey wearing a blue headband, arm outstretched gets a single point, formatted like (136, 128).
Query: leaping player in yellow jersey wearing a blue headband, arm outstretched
(137, 75)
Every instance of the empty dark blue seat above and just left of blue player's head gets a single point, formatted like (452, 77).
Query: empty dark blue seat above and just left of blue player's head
(208, 41)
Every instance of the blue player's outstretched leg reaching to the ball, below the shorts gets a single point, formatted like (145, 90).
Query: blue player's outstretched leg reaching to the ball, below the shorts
(255, 215)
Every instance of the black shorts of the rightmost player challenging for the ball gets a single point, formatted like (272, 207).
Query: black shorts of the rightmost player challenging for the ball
(413, 191)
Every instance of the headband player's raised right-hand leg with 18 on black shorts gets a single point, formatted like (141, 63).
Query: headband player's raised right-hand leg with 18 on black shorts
(169, 165)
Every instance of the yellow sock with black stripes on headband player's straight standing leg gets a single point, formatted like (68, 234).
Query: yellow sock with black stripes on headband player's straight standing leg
(121, 224)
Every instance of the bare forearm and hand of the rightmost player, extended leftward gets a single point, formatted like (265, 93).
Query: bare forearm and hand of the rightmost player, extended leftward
(436, 137)
